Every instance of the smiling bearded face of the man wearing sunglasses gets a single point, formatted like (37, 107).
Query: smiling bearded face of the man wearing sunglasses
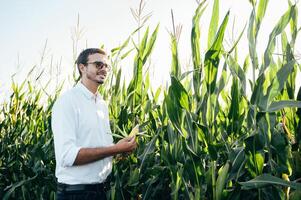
(96, 68)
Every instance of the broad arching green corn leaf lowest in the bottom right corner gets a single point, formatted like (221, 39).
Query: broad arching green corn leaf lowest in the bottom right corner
(267, 180)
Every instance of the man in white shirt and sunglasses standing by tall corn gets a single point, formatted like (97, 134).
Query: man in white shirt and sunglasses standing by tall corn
(82, 137)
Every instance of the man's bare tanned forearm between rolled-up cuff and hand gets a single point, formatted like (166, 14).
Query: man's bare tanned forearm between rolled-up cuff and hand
(88, 155)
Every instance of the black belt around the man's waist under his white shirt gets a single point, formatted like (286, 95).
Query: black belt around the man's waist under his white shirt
(62, 187)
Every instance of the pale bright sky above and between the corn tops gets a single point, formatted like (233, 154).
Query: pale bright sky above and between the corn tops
(27, 25)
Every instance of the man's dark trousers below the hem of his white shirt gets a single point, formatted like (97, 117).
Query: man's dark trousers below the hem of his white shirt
(81, 192)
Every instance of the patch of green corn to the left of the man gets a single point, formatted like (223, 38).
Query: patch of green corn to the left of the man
(27, 154)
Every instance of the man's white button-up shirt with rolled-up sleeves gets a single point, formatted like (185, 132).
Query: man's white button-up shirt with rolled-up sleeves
(80, 119)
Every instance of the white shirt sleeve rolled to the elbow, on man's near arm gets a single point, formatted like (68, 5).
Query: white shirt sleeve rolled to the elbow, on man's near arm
(64, 132)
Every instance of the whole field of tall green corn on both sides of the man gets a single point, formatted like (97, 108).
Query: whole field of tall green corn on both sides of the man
(206, 136)
